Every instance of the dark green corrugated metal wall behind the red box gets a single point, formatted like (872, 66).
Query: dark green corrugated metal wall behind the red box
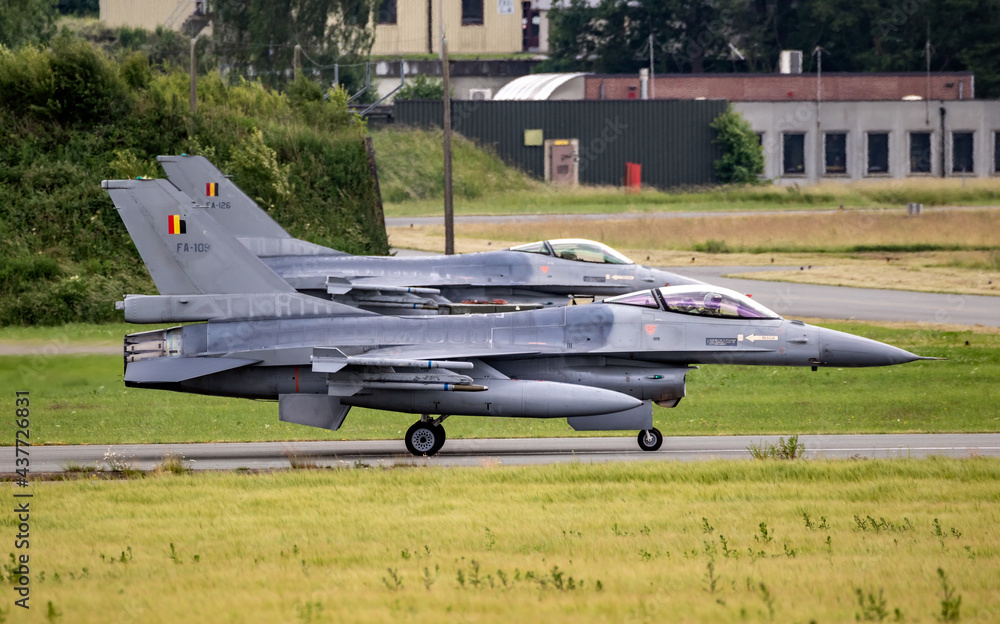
(671, 139)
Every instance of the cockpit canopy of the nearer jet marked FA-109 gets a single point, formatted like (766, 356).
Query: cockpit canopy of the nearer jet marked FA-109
(709, 301)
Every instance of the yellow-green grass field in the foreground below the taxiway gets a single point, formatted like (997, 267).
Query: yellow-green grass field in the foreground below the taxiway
(719, 541)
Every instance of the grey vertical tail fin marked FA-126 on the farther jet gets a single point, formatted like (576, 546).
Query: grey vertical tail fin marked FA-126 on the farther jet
(233, 209)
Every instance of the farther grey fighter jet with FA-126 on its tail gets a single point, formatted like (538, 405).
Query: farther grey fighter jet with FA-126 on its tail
(546, 273)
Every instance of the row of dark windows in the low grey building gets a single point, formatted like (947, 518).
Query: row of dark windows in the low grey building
(877, 153)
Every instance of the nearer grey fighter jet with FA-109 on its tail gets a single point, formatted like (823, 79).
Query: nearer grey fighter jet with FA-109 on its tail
(599, 365)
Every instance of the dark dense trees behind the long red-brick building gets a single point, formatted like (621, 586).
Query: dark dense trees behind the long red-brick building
(855, 35)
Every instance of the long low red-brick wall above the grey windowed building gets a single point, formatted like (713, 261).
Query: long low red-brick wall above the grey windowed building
(785, 87)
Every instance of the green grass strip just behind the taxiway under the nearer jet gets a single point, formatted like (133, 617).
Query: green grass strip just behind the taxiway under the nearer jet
(80, 399)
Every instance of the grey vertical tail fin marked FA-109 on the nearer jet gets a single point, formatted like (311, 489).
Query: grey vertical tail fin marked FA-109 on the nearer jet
(187, 251)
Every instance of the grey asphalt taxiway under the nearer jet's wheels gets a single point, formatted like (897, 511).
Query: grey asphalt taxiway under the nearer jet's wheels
(522, 451)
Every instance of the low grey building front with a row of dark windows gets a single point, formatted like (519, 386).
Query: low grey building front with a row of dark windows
(860, 140)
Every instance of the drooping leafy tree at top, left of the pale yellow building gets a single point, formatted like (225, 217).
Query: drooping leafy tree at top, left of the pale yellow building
(257, 38)
